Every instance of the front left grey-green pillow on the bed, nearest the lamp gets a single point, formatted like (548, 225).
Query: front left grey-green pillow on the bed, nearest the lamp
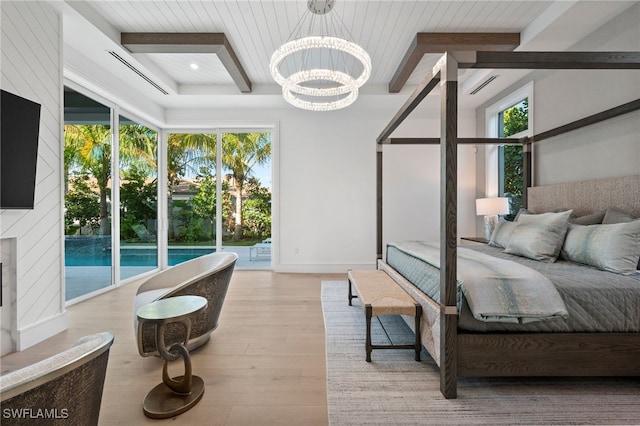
(539, 236)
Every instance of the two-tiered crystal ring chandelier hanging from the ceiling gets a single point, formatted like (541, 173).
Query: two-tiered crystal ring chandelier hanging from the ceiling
(320, 72)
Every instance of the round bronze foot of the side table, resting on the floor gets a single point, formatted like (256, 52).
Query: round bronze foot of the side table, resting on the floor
(161, 402)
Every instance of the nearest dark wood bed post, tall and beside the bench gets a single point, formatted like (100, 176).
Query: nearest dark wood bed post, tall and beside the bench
(448, 221)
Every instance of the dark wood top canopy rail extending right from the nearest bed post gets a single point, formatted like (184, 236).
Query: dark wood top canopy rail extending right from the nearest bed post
(554, 60)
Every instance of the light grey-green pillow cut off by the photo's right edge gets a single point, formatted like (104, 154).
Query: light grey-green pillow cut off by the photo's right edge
(611, 247)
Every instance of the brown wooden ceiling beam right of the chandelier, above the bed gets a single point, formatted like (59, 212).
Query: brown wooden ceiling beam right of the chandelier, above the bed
(443, 42)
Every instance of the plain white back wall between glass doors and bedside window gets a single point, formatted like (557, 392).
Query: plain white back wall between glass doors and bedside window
(327, 183)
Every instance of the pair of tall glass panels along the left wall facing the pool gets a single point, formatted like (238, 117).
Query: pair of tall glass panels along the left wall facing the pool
(110, 199)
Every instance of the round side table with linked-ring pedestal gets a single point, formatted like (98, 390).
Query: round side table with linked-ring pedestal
(174, 395)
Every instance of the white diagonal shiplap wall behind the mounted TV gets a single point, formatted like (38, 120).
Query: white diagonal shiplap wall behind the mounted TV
(31, 67)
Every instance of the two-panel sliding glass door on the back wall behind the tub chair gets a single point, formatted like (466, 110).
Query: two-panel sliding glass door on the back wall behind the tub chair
(219, 196)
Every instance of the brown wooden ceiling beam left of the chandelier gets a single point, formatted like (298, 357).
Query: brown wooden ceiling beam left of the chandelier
(215, 43)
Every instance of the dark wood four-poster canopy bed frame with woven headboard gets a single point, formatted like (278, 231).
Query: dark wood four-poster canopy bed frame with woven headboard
(463, 353)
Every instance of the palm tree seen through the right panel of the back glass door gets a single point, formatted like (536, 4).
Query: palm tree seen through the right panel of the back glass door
(240, 153)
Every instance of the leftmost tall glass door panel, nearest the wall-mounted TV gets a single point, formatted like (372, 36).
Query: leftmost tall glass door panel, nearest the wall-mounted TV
(87, 198)
